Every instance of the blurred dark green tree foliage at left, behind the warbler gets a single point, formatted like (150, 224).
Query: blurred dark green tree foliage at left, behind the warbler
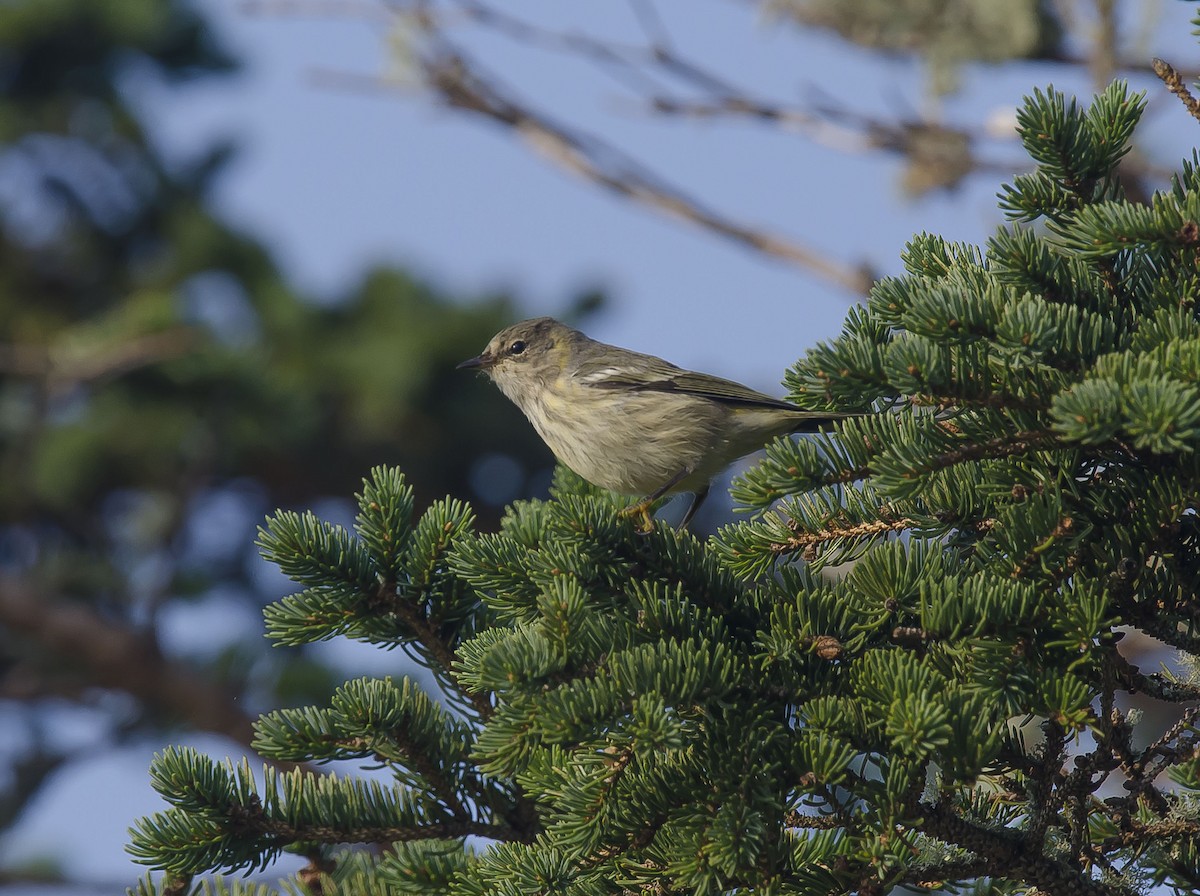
(163, 387)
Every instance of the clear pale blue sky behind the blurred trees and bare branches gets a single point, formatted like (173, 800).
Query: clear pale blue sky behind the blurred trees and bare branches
(338, 179)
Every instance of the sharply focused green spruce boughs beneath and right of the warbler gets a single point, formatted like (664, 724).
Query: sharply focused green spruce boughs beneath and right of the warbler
(962, 709)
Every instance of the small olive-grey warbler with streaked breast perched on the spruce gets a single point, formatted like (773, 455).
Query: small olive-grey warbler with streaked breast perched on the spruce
(632, 423)
